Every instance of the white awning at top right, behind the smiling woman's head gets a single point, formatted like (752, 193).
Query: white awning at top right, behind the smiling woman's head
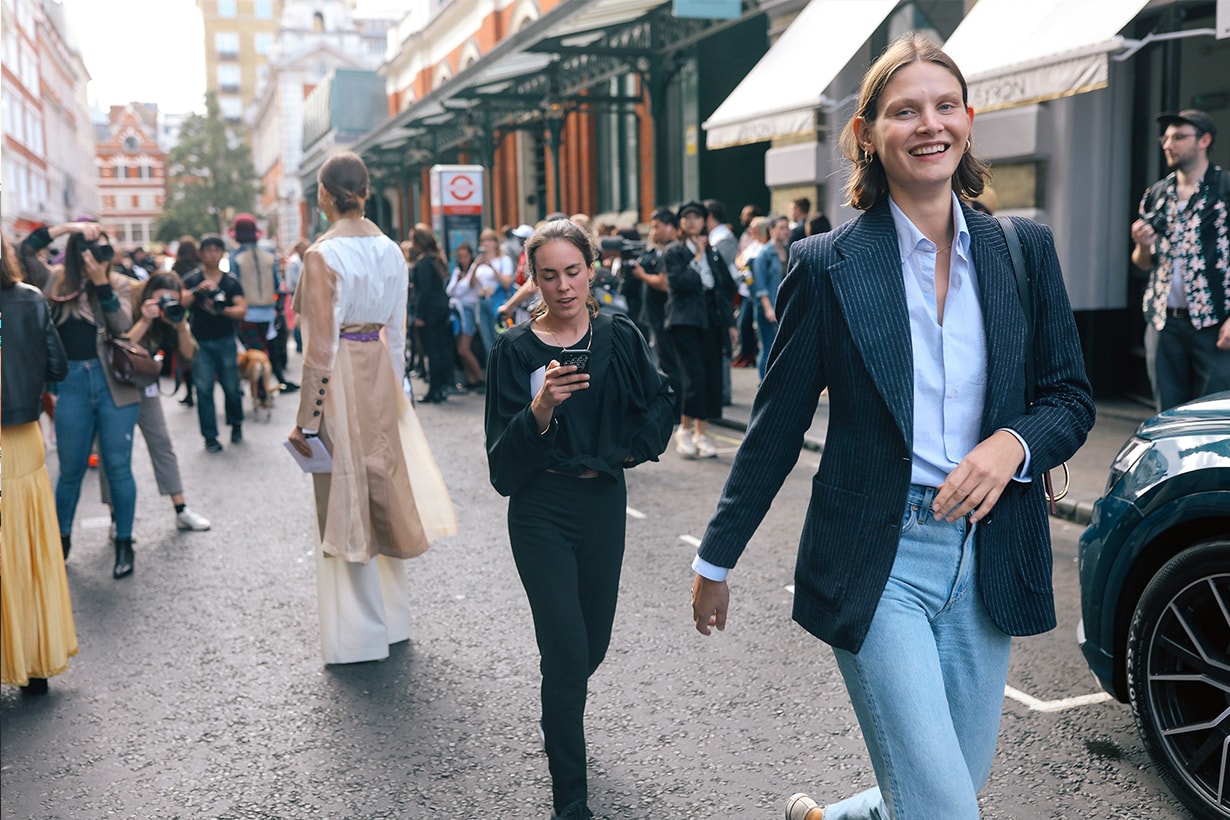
(1014, 53)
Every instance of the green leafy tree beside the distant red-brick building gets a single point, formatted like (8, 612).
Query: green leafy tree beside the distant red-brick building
(210, 176)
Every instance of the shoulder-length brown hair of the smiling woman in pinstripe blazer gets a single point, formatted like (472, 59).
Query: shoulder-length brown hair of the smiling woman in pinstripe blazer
(868, 184)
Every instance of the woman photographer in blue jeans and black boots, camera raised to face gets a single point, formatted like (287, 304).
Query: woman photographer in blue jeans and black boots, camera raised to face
(88, 297)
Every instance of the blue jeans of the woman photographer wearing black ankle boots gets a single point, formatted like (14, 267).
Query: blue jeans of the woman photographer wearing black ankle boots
(85, 409)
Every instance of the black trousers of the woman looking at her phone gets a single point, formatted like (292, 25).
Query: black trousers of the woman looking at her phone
(568, 539)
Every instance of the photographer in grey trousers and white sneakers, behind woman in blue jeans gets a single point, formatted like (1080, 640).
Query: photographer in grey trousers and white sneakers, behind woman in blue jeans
(162, 325)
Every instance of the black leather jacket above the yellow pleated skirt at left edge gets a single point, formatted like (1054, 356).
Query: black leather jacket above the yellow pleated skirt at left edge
(36, 353)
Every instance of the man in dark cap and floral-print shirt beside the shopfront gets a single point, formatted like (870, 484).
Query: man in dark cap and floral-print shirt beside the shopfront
(1181, 240)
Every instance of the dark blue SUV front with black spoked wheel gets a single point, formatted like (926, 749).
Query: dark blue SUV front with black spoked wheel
(1156, 596)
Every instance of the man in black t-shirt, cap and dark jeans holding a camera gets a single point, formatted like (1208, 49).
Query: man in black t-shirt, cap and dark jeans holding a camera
(217, 303)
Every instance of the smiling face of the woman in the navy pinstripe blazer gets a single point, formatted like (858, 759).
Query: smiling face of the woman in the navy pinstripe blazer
(921, 130)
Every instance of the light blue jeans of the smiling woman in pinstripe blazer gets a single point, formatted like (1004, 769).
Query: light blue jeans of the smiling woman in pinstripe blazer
(928, 683)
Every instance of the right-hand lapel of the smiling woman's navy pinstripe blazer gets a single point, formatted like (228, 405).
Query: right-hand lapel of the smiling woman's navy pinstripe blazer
(1003, 321)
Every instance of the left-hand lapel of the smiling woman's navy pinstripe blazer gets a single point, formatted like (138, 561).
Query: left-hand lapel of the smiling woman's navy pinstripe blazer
(871, 293)
